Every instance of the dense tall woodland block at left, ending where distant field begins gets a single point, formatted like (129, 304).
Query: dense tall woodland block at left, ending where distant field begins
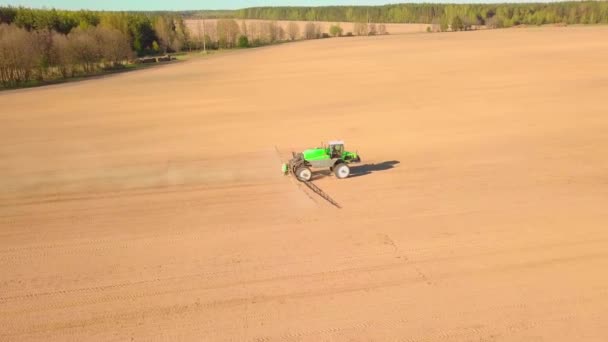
(42, 45)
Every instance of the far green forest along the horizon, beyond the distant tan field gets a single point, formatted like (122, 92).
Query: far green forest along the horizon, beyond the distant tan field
(493, 15)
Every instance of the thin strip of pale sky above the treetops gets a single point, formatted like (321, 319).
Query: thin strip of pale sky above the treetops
(152, 5)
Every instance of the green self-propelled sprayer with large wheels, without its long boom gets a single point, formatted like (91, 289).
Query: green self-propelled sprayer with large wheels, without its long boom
(331, 156)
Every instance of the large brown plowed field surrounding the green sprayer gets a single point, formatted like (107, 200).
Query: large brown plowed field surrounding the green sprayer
(150, 205)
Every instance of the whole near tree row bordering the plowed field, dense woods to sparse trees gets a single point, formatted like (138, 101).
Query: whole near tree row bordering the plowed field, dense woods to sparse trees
(44, 45)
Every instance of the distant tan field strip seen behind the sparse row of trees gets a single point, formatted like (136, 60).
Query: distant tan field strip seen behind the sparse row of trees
(347, 27)
